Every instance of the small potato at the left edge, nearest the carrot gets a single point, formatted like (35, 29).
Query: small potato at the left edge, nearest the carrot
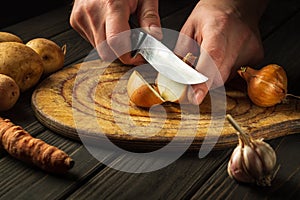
(9, 92)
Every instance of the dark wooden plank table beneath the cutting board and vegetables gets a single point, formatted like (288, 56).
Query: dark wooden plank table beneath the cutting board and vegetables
(188, 177)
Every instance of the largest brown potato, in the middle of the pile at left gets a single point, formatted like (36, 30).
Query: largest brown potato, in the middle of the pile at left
(21, 63)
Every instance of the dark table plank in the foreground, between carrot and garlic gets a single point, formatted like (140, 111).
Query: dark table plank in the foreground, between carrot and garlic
(171, 182)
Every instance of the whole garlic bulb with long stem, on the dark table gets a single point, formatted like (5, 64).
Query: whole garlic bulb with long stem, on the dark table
(252, 161)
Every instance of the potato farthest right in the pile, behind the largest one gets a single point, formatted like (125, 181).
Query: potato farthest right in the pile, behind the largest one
(52, 55)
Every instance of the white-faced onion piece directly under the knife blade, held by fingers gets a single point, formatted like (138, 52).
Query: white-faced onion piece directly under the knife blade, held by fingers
(170, 90)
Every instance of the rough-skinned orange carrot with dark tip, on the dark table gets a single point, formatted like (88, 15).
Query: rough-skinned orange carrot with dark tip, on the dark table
(21, 145)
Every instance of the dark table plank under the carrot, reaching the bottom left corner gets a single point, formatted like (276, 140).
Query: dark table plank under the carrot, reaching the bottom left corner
(19, 180)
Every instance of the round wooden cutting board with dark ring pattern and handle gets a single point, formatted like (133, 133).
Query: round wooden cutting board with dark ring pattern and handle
(89, 99)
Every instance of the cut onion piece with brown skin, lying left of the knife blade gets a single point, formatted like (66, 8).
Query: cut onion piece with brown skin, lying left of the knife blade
(141, 93)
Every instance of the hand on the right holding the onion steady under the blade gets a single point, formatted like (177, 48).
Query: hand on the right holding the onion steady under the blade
(228, 33)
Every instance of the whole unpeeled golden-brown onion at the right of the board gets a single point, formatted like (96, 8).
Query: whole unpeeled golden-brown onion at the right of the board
(267, 86)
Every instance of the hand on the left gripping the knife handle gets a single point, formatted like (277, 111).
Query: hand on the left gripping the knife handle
(104, 23)
